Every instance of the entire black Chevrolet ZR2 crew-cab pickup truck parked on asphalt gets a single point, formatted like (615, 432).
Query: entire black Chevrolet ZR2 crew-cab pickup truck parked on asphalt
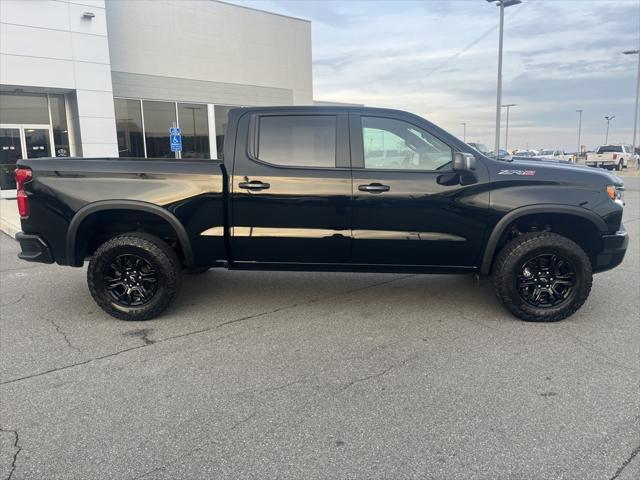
(331, 189)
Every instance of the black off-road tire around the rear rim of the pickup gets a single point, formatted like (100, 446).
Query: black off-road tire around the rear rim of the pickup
(152, 249)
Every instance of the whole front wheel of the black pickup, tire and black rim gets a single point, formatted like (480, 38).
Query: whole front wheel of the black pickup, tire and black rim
(542, 277)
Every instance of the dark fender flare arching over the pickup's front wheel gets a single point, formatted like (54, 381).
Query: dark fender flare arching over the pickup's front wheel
(505, 221)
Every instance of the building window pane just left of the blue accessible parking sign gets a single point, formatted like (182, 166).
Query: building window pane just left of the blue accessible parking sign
(159, 117)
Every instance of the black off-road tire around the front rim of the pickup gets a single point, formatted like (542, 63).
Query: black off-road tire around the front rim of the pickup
(517, 252)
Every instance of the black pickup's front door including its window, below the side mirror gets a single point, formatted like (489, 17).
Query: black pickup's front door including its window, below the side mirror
(410, 208)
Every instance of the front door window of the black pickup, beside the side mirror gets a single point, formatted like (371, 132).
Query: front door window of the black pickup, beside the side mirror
(394, 144)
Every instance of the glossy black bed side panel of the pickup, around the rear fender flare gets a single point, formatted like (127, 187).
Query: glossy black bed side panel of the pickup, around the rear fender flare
(191, 190)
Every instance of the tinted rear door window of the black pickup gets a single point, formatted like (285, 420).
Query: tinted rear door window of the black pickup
(298, 140)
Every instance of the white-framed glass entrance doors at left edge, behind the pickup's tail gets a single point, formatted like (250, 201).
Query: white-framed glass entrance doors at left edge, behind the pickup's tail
(20, 141)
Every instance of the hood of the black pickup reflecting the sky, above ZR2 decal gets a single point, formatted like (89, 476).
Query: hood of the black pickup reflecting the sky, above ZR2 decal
(566, 172)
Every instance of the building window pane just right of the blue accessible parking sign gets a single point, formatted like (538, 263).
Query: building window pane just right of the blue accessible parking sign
(194, 129)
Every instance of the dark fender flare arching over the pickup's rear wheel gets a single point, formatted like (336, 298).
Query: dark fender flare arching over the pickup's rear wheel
(82, 214)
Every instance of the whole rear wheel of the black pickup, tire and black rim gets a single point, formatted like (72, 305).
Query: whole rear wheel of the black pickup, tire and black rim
(134, 276)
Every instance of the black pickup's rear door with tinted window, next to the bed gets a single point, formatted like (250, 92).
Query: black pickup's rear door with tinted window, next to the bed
(291, 188)
